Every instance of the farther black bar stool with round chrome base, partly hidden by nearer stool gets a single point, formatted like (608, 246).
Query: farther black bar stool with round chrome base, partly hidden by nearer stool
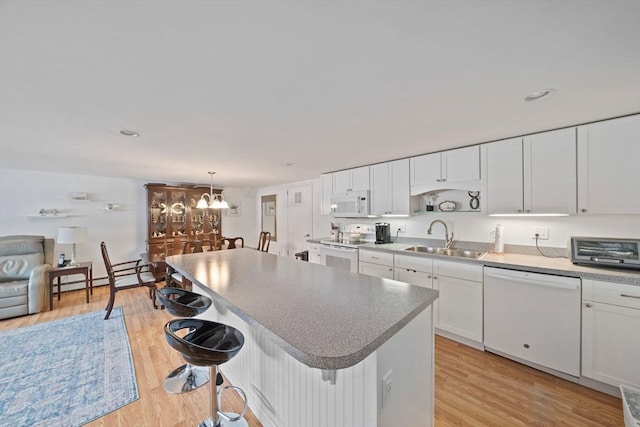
(181, 303)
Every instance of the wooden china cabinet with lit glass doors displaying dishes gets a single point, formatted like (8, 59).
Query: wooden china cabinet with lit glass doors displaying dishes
(173, 219)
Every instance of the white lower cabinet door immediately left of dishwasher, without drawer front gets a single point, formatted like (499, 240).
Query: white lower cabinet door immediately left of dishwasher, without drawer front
(459, 309)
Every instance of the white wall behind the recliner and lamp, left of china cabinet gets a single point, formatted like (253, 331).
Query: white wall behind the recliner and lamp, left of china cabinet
(24, 193)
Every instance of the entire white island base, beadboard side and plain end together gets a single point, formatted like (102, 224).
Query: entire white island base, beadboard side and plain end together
(284, 392)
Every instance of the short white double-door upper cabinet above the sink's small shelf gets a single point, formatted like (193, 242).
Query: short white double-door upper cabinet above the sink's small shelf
(453, 169)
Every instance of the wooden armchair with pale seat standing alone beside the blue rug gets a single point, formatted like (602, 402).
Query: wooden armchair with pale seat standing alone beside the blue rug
(126, 275)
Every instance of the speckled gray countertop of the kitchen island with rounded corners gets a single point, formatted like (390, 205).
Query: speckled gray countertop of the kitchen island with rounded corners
(323, 317)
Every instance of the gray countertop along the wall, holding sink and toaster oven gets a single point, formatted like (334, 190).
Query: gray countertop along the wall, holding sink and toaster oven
(533, 263)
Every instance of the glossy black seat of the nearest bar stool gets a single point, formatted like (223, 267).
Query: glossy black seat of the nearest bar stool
(206, 344)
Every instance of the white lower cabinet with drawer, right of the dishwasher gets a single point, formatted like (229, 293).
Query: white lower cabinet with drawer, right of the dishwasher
(611, 333)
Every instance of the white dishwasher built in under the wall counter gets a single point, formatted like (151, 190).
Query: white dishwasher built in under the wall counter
(533, 317)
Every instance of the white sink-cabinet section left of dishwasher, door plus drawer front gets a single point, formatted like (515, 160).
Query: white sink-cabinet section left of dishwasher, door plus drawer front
(459, 304)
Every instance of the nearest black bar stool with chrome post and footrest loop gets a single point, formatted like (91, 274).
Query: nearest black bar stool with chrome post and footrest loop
(209, 344)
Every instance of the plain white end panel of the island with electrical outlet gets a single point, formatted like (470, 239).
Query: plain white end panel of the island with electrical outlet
(409, 358)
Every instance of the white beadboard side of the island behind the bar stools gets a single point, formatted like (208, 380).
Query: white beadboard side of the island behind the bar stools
(283, 392)
